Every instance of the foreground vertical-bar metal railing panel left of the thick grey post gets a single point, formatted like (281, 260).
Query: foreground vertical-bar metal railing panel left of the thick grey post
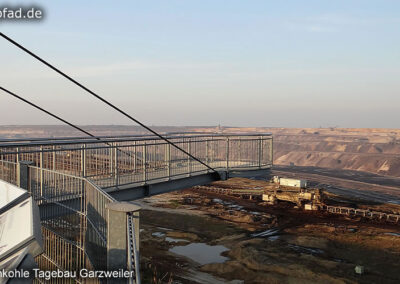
(73, 208)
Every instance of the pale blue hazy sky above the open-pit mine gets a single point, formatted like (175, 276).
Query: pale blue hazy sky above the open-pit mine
(208, 62)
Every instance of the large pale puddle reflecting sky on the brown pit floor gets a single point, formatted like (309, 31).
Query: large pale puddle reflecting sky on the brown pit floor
(202, 253)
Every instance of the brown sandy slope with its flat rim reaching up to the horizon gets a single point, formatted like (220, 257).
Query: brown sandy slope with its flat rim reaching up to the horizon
(368, 150)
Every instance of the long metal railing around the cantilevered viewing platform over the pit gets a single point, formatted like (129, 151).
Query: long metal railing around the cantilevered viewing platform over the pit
(141, 159)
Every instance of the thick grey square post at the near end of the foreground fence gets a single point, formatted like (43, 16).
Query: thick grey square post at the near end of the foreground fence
(120, 248)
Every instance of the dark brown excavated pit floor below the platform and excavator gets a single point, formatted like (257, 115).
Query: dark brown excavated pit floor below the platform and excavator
(263, 243)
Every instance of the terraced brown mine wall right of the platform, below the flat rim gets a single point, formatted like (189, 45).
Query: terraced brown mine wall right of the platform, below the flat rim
(381, 158)
